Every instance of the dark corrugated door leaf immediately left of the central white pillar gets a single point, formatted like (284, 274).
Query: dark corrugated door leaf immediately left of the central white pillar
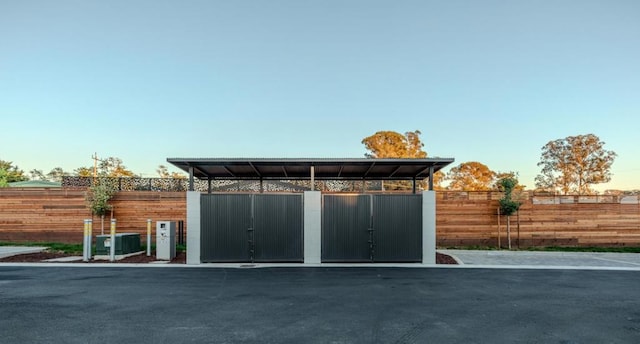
(278, 228)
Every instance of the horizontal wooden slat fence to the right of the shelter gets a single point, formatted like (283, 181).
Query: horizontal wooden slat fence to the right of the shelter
(471, 218)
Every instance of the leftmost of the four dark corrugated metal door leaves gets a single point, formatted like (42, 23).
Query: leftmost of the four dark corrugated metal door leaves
(225, 227)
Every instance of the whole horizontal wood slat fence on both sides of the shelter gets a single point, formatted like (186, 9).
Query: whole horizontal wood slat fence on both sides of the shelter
(463, 218)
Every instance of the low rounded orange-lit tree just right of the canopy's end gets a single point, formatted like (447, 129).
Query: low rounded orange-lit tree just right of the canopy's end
(471, 176)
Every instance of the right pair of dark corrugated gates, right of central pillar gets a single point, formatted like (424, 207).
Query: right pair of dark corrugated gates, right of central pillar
(372, 228)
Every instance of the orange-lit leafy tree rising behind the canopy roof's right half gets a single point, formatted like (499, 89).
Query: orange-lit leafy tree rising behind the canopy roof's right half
(390, 144)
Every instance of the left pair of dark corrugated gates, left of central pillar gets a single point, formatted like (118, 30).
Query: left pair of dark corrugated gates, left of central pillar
(251, 228)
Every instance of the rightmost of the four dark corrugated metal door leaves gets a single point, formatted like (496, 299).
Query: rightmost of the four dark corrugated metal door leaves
(397, 223)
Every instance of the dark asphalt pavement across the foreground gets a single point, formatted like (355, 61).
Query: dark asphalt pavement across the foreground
(317, 305)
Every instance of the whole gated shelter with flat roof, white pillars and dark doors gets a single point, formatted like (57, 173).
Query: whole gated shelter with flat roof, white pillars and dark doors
(310, 227)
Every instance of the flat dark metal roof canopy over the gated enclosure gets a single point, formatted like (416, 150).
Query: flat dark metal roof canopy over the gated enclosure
(310, 169)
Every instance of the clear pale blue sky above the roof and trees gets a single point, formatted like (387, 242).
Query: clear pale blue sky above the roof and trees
(487, 81)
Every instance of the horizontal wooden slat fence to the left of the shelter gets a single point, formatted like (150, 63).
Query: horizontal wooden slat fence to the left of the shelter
(56, 215)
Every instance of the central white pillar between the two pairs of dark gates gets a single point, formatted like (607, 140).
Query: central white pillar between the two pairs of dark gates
(312, 227)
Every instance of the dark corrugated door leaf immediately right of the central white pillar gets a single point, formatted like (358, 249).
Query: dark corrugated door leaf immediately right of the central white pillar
(346, 224)
